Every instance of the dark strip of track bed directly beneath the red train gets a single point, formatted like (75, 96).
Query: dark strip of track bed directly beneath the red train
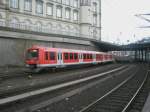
(14, 74)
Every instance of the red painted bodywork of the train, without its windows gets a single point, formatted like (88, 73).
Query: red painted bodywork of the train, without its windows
(100, 56)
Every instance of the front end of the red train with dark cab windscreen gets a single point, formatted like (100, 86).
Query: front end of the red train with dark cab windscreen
(42, 57)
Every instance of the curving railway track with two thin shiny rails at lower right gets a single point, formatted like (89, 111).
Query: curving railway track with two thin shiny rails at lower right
(121, 98)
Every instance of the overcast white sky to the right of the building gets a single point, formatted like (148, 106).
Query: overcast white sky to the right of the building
(119, 22)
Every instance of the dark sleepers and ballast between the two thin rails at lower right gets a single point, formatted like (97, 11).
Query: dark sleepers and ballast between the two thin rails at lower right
(118, 99)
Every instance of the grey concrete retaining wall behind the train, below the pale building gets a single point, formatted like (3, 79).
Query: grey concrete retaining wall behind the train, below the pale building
(12, 50)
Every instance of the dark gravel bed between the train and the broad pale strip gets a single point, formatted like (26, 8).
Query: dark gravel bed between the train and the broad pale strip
(18, 85)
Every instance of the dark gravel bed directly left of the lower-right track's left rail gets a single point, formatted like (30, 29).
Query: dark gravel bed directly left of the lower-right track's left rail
(78, 101)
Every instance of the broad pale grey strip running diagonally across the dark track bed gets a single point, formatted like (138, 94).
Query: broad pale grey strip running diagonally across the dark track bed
(52, 88)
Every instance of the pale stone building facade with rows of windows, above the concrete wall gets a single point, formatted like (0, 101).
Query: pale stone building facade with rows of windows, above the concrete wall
(79, 18)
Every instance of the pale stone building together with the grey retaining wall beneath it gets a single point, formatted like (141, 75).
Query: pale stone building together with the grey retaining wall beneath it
(53, 23)
